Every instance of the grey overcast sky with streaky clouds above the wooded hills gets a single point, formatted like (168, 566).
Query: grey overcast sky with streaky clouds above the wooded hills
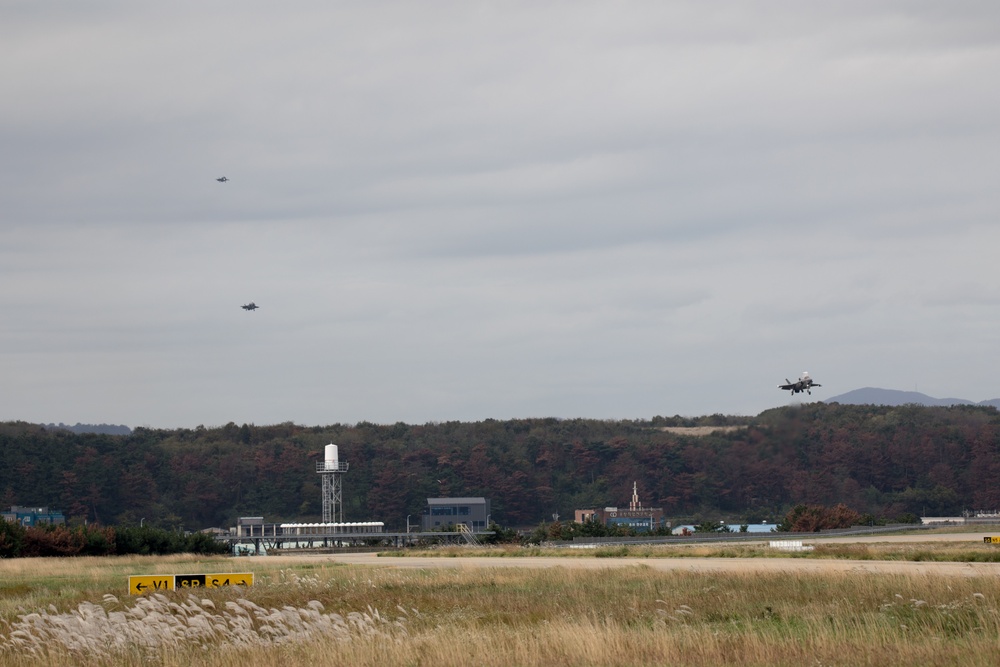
(468, 210)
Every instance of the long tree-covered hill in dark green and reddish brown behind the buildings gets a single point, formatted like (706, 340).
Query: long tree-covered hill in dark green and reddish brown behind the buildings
(883, 460)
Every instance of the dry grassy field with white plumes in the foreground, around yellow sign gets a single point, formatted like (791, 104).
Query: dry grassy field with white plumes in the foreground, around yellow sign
(67, 611)
